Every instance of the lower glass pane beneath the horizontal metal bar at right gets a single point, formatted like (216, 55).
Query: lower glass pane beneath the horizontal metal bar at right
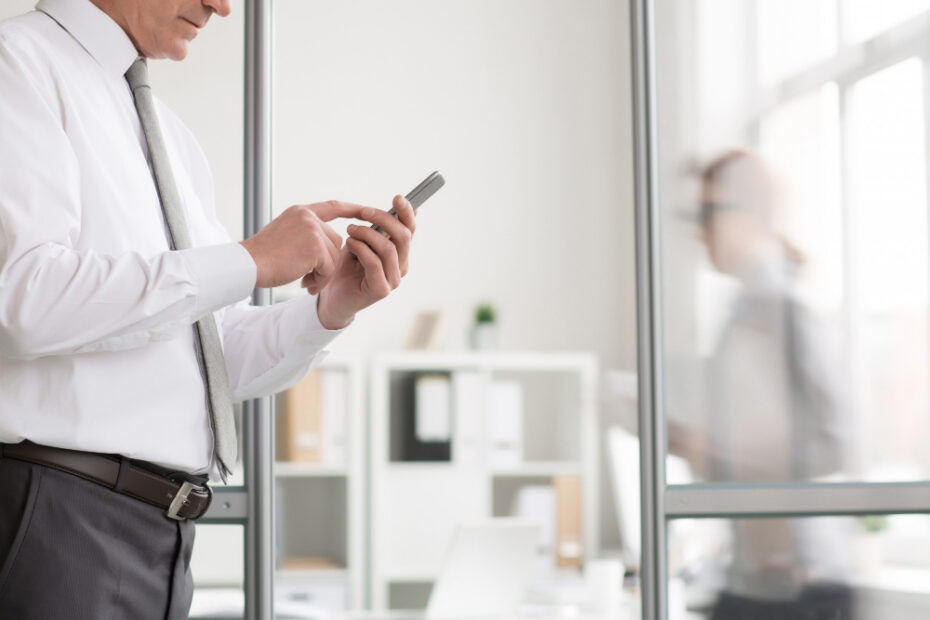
(822, 567)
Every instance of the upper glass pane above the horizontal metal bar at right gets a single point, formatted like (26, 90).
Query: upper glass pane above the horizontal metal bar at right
(795, 215)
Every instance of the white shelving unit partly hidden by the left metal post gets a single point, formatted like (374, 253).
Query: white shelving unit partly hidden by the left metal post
(320, 506)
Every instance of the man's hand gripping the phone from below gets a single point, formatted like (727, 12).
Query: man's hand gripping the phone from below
(370, 265)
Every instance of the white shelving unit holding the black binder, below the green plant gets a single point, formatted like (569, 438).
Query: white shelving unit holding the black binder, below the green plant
(416, 504)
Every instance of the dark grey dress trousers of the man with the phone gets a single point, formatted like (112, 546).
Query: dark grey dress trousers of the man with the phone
(75, 550)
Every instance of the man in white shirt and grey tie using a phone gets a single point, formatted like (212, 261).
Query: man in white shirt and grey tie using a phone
(117, 288)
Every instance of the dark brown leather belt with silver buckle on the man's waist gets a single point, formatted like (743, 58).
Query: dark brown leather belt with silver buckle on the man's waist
(181, 499)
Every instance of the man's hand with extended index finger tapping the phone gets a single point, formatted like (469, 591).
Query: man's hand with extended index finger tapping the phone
(299, 243)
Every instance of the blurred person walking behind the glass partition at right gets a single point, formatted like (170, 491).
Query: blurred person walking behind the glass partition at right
(770, 371)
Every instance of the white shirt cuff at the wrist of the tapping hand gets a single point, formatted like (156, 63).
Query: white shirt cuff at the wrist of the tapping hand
(223, 274)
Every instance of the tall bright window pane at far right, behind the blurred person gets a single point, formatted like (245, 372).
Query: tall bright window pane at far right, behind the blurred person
(890, 316)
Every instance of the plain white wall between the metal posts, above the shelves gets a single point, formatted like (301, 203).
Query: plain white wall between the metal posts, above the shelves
(524, 105)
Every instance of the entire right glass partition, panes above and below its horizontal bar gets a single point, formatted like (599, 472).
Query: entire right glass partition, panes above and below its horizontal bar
(788, 214)
